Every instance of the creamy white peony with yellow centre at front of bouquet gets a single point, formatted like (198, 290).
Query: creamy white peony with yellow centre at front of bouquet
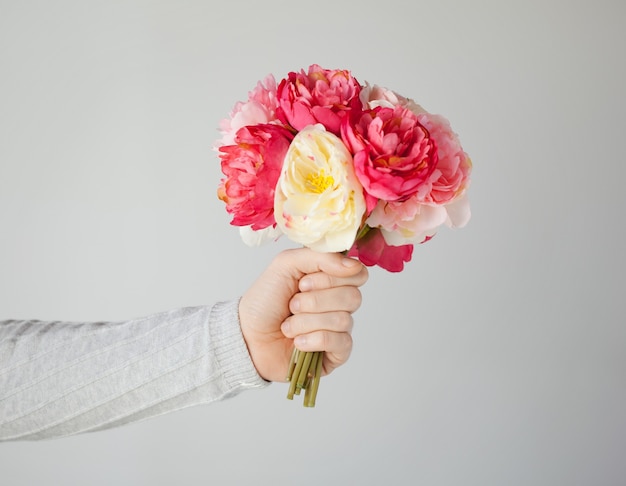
(319, 202)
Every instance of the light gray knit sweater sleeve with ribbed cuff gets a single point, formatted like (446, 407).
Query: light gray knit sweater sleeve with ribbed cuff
(63, 378)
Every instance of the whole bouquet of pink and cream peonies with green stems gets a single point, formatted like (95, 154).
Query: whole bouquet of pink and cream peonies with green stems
(339, 166)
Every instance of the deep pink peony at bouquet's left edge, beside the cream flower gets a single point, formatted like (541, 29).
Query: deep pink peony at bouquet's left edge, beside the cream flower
(252, 167)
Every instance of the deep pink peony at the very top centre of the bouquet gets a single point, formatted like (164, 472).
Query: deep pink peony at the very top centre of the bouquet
(318, 96)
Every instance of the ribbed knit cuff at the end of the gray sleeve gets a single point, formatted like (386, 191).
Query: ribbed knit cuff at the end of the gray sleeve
(230, 348)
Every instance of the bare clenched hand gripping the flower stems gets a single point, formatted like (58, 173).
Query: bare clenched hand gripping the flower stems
(303, 298)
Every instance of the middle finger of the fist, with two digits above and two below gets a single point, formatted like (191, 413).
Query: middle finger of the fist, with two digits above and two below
(347, 299)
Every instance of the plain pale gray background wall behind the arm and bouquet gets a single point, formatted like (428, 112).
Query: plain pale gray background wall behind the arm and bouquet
(496, 358)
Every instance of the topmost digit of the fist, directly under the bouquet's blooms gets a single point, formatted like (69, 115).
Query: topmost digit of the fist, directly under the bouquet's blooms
(301, 261)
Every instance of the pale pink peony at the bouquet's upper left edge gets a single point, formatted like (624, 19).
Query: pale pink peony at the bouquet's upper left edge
(260, 108)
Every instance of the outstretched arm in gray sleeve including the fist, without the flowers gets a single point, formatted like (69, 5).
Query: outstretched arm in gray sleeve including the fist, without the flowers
(59, 378)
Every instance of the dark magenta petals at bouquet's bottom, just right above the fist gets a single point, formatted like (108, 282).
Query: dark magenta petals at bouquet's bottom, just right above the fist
(372, 250)
